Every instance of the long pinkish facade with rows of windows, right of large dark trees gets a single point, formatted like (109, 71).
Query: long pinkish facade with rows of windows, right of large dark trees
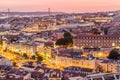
(96, 41)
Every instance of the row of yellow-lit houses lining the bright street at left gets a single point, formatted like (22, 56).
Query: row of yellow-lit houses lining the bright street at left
(28, 48)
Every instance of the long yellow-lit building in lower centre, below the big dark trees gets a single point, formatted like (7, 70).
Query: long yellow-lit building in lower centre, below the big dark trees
(79, 62)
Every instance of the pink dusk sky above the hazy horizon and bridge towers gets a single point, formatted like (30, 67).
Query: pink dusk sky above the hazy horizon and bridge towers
(60, 5)
